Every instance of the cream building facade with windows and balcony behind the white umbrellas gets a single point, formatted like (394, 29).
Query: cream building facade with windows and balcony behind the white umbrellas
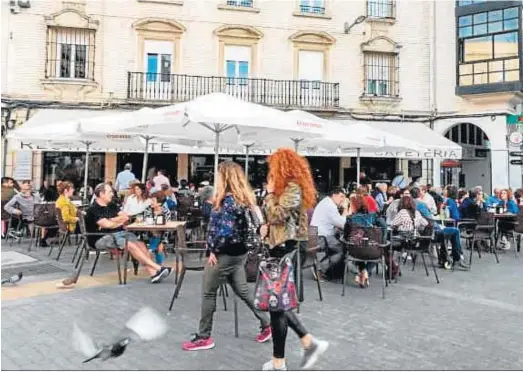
(395, 61)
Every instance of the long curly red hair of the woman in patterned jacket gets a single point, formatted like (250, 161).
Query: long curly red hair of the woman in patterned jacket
(285, 166)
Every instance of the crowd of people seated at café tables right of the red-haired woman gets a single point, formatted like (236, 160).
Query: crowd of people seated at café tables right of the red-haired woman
(406, 209)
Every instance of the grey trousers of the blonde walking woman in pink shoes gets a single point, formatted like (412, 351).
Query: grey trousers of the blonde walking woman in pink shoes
(232, 270)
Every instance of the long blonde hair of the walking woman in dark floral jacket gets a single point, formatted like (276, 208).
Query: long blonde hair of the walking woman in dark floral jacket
(231, 179)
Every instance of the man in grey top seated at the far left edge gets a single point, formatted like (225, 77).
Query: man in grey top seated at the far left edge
(21, 206)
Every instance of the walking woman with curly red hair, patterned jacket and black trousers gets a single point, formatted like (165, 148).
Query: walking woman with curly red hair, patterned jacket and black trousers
(291, 193)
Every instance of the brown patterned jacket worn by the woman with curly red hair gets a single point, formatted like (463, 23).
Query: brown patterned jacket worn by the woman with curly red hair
(287, 217)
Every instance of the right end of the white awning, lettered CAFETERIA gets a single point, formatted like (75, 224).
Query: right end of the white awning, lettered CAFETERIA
(434, 144)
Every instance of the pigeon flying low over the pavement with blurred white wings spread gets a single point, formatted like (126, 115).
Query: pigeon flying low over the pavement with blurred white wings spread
(145, 325)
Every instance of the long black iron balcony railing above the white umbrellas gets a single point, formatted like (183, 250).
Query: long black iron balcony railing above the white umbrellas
(282, 93)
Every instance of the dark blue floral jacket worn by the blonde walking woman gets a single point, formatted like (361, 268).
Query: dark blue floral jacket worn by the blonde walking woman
(226, 227)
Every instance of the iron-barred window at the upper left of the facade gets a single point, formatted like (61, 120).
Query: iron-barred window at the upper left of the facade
(70, 53)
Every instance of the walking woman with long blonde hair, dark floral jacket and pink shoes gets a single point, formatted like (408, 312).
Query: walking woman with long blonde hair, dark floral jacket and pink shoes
(226, 242)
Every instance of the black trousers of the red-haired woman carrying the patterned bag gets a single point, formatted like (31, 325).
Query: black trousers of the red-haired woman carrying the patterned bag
(281, 321)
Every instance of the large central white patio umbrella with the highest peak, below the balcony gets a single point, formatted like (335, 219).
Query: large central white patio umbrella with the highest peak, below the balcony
(222, 119)
